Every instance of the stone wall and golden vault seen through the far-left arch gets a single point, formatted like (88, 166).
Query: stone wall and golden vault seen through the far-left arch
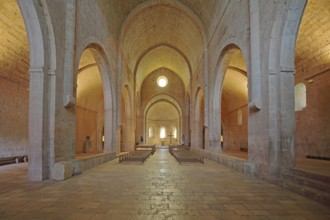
(14, 82)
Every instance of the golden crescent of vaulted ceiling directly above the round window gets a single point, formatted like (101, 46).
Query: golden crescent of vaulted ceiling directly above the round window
(163, 57)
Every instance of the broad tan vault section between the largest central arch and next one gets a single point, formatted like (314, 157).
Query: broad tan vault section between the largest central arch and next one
(162, 24)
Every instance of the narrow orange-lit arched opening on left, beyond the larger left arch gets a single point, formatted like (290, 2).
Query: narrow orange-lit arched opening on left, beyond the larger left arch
(127, 140)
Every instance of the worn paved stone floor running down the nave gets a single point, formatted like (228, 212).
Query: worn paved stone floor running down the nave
(159, 189)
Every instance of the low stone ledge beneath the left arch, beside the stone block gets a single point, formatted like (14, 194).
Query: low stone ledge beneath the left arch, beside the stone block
(83, 164)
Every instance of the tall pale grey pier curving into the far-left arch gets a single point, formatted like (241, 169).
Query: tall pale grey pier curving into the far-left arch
(42, 88)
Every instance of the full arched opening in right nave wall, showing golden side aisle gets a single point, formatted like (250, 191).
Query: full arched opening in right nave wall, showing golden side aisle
(234, 105)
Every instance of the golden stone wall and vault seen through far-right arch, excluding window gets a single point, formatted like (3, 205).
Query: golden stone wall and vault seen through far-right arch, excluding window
(312, 64)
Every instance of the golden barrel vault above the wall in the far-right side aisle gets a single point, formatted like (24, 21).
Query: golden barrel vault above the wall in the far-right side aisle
(313, 42)
